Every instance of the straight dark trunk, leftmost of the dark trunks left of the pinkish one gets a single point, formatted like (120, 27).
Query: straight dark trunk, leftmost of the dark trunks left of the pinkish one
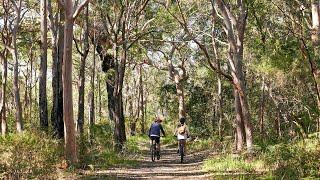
(43, 109)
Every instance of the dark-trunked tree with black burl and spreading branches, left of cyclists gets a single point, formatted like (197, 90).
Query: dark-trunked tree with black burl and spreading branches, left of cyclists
(122, 24)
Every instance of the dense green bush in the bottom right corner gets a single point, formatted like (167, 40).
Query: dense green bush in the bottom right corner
(295, 160)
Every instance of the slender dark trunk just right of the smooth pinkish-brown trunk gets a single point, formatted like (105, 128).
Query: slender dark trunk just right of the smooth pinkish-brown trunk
(82, 75)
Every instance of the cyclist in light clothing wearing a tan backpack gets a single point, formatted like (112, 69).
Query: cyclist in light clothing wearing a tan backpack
(182, 134)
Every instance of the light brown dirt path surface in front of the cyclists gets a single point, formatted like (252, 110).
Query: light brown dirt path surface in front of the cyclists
(168, 167)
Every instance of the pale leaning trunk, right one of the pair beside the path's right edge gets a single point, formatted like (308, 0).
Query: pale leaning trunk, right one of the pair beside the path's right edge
(235, 29)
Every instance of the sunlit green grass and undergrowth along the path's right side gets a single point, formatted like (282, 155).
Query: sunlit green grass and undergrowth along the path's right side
(294, 159)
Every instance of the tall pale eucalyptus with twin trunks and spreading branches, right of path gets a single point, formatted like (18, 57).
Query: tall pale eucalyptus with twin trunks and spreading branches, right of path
(227, 21)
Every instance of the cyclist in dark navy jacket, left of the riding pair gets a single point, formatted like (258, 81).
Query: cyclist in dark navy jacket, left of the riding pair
(154, 132)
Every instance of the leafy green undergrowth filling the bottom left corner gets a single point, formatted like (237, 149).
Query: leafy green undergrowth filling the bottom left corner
(28, 156)
